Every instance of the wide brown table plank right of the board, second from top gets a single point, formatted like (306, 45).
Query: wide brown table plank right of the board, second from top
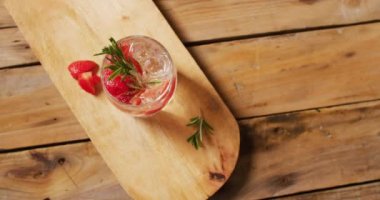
(295, 71)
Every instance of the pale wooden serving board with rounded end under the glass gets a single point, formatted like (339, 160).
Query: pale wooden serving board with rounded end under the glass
(149, 156)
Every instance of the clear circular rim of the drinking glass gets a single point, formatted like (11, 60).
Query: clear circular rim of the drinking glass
(163, 95)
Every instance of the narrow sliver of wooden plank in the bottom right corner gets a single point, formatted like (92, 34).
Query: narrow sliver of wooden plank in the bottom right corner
(369, 191)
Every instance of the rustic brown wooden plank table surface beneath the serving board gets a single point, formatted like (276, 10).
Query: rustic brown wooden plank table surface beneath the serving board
(302, 77)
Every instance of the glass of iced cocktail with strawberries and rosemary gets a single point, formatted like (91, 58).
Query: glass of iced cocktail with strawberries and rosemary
(138, 75)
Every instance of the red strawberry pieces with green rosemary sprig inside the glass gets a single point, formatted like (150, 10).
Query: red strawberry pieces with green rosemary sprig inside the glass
(123, 74)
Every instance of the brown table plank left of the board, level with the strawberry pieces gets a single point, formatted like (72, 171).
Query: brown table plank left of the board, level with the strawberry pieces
(32, 112)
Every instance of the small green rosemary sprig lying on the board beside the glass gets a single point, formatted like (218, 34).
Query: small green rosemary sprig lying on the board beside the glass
(202, 127)
